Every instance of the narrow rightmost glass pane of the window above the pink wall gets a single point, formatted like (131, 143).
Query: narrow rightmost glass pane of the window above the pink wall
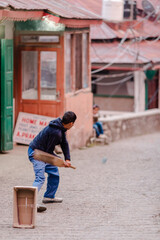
(85, 60)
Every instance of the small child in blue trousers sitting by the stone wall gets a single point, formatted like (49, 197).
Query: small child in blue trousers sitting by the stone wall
(96, 124)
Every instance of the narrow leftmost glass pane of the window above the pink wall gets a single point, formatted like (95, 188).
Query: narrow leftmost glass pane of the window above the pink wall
(68, 83)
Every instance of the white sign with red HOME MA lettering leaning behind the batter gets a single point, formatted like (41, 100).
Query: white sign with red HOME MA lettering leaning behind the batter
(28, 126)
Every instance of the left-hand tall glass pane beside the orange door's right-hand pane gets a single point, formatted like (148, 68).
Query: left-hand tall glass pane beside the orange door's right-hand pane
(29, 74)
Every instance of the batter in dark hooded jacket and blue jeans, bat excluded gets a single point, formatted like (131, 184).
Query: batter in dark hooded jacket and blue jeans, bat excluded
(52, 135)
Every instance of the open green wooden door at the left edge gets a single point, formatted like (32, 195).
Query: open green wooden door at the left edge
(6, 95)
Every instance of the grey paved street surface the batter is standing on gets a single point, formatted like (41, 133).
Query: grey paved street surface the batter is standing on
(114, 194)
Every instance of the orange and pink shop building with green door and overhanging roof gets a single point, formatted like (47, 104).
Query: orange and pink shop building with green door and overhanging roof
(46, 70)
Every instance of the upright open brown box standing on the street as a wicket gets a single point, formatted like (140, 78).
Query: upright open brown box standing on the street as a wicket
(24, 206)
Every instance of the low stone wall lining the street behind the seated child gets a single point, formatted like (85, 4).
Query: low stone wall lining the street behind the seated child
(131, 124)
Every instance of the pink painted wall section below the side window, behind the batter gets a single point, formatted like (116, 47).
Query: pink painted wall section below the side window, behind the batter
(81, 103)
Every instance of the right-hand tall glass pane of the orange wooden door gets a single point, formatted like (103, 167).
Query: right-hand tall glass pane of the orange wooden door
(48, 75)
